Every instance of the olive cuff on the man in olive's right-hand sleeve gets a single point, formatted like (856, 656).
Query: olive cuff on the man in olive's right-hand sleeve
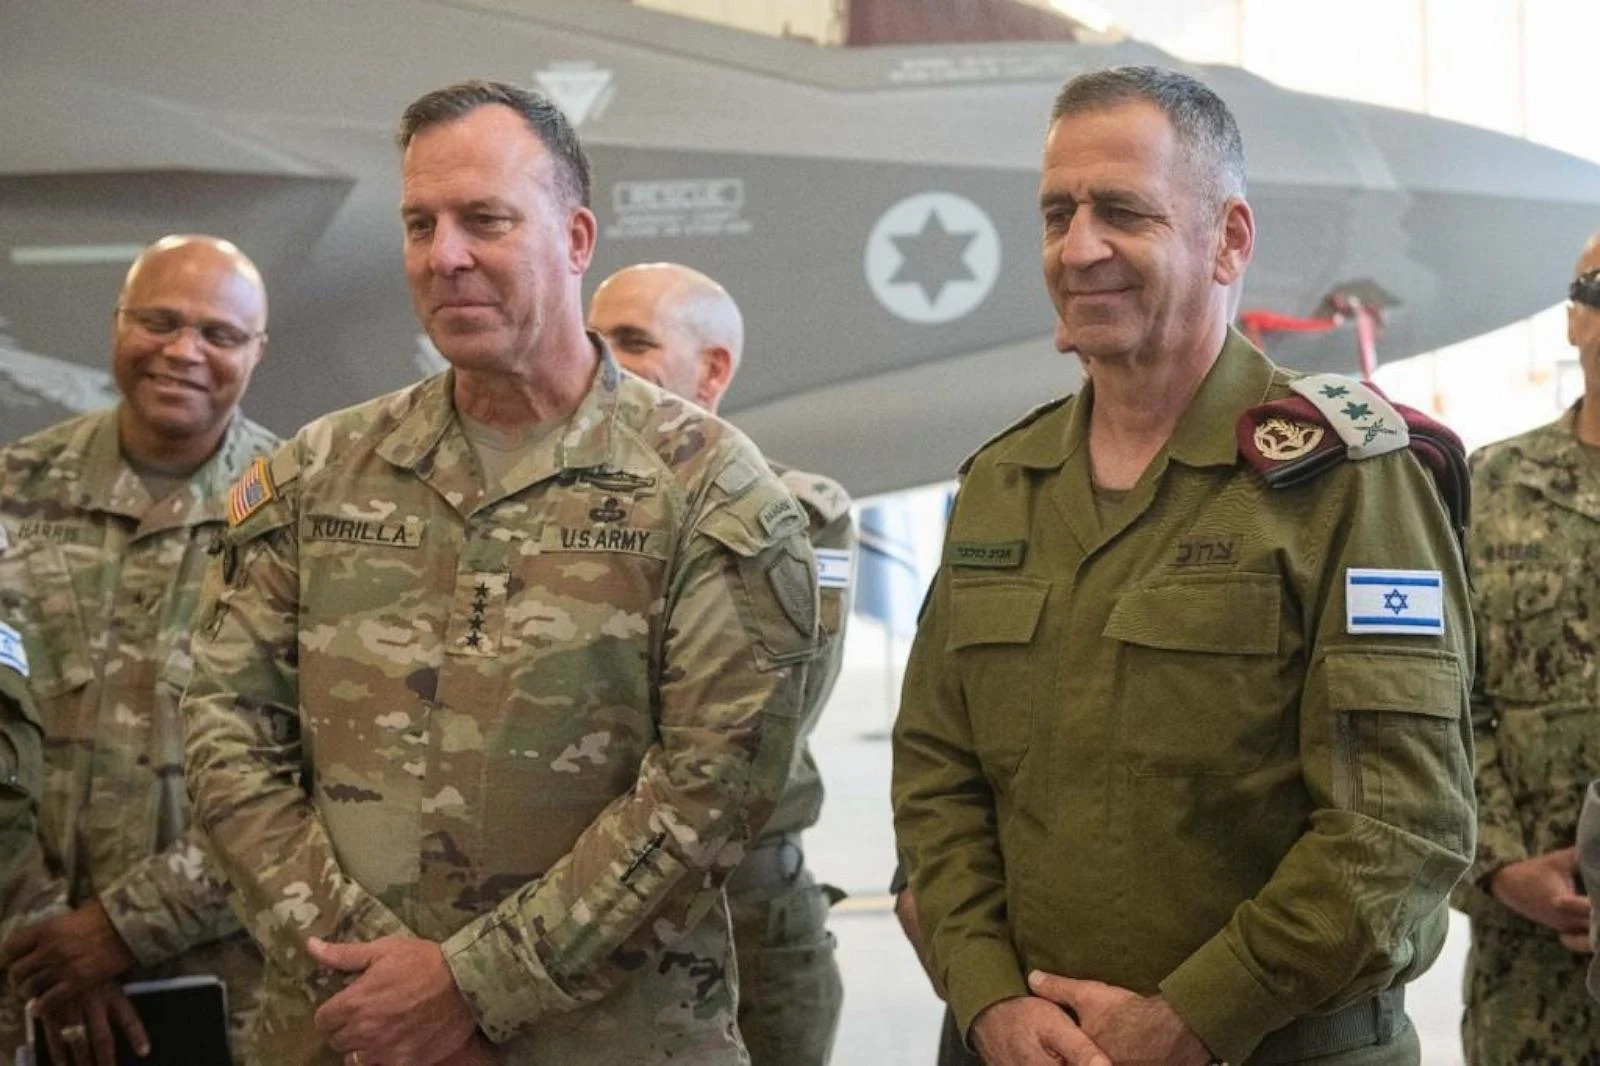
(1223, 1003)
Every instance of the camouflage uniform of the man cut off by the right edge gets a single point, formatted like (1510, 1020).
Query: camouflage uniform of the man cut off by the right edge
(1535, 550)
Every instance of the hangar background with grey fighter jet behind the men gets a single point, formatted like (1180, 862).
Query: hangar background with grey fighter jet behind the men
(863, 178)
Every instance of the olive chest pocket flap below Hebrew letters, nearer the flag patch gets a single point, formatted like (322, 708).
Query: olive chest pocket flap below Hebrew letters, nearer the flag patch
(1231, 614)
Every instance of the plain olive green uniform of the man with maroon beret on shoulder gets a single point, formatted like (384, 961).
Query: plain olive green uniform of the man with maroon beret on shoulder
(1145, 748)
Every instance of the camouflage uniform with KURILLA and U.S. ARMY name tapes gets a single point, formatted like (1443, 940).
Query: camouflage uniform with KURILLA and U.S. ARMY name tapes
(534, 721)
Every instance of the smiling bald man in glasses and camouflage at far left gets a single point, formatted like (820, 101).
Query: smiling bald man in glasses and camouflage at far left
(106, 527)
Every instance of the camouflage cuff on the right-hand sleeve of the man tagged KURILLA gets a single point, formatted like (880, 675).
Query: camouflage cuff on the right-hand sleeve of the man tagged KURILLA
(502, 979)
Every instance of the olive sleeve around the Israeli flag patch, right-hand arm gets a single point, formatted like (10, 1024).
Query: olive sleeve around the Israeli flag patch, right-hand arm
(1358, 905)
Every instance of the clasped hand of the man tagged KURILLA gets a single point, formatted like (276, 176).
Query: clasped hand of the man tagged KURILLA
(404, 1009)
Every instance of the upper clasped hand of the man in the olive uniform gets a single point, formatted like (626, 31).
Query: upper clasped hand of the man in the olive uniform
(1129, 1027)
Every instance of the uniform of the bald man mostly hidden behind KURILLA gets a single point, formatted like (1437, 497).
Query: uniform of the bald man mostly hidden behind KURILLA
(791, 992)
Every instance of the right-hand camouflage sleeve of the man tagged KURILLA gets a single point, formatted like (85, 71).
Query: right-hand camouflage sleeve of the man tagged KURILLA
(740, 631)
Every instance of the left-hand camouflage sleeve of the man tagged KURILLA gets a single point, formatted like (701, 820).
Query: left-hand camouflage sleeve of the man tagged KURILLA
(244, 756)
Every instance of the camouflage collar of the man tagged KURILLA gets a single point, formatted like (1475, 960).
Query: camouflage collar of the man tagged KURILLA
(430, 439)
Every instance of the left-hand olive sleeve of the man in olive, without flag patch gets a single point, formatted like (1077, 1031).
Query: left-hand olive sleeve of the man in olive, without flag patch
(945, 816)
